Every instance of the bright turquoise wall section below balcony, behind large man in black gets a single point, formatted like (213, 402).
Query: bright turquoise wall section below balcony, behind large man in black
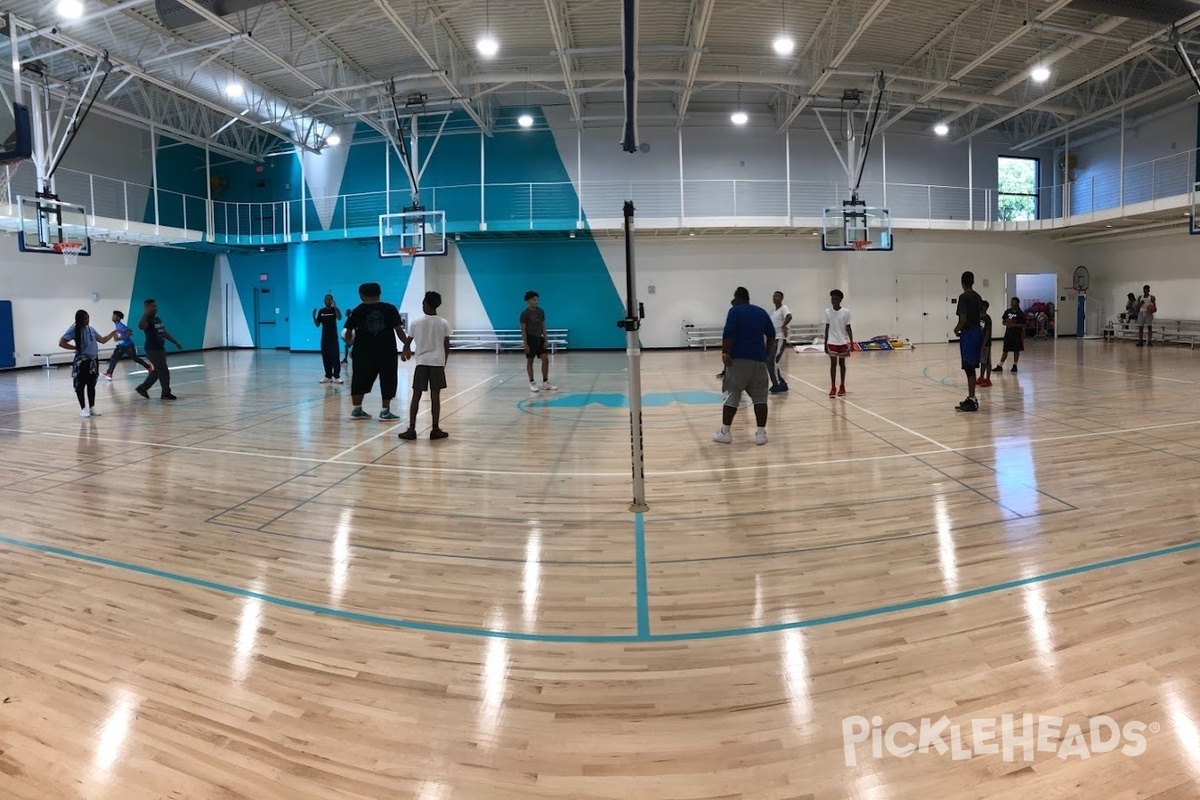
(338, 268)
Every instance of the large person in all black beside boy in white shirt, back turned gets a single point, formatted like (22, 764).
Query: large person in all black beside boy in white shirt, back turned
(371, 330)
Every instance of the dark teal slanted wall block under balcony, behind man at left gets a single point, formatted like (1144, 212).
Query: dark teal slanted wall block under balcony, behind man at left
(182, 282)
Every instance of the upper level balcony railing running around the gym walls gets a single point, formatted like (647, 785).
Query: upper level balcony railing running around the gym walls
(597, 204)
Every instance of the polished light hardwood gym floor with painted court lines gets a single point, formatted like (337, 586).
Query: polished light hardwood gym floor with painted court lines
(245, 594)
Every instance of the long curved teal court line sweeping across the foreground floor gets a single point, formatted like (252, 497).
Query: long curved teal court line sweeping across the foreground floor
(583, 639)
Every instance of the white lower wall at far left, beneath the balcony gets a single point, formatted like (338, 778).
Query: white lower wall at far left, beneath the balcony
(46, 293)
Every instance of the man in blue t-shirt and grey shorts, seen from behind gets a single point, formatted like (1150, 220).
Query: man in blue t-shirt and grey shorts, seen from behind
(748, 339)
